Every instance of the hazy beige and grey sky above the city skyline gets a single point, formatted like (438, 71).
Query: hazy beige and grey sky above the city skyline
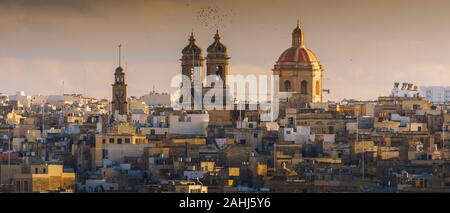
(364, 46)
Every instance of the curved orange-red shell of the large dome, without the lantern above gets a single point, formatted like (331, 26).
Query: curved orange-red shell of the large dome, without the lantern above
(297, 54)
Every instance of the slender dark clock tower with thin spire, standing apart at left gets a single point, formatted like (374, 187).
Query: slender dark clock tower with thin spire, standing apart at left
(119, 91)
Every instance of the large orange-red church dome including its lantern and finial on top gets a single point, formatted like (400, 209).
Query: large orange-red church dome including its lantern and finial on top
(297, 53)
